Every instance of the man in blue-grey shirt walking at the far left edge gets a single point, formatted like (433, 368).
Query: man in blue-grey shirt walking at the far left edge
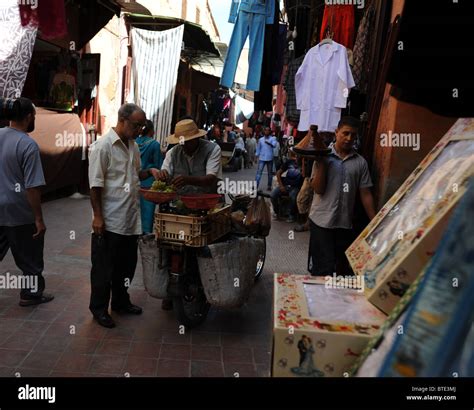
(22, 227)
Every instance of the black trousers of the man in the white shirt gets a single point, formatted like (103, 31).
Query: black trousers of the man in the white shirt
(114, 259)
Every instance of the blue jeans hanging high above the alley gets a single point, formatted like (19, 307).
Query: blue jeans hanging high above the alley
(247, 24)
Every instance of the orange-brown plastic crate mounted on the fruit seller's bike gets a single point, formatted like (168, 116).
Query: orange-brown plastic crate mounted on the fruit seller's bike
(194, 231)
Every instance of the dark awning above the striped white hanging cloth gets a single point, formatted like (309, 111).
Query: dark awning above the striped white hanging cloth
(197, 42)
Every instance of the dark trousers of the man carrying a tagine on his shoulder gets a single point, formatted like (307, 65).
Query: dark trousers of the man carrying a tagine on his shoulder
(327, 250)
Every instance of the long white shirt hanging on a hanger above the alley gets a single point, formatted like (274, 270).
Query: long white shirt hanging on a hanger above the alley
(322, 85)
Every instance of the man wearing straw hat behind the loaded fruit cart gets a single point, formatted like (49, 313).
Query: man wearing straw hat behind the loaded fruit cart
(192, 166)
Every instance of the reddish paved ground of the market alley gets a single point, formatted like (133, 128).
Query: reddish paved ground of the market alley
(61, 339)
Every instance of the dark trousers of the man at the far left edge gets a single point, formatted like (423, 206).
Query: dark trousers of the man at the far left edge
(27, 253)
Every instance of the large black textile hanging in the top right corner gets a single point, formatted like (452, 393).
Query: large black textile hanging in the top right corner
(429, 67)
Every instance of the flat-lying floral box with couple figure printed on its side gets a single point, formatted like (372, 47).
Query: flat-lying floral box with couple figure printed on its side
(319, 331)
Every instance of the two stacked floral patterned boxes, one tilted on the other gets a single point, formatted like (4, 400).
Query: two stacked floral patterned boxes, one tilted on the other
(320, 326)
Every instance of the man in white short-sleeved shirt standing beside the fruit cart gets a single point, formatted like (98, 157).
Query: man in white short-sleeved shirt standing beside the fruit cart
(114, 177)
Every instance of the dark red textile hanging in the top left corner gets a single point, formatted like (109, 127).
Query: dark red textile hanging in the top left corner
(49, 16)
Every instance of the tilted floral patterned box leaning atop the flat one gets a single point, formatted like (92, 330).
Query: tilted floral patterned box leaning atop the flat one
(393, 249)
